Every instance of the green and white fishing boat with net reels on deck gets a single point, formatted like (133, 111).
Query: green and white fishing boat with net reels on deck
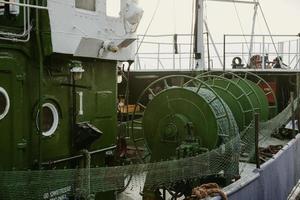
(81, 118)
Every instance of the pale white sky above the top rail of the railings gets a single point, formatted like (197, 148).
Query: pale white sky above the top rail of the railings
(283, 17)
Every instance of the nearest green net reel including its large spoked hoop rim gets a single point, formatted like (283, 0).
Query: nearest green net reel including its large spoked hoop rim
(180, 112)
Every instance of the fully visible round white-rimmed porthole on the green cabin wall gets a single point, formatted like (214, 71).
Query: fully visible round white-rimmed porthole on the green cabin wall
(50, 119)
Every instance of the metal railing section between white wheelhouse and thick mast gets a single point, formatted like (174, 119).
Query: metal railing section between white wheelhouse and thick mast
(165, 52)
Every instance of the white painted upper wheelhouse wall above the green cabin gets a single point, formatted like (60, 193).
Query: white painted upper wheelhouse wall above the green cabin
(70, 26)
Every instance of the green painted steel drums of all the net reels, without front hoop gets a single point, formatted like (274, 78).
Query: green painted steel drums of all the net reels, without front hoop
(167, 116)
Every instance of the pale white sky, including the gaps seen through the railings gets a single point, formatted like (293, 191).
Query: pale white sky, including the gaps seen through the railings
(174, 16)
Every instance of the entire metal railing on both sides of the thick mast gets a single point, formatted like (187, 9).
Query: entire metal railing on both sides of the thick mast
(175, 52)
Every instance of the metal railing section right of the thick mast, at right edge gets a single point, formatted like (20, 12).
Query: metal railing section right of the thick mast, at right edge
(288, 49)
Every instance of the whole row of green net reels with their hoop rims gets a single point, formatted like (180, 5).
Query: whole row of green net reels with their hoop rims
(185, 116)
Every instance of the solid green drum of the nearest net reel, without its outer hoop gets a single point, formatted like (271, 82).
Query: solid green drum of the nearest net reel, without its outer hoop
(168, 114)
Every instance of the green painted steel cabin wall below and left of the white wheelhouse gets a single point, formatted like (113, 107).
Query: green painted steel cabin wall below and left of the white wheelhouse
(33, 75)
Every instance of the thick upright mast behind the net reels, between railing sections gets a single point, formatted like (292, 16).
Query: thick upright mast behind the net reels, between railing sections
(199, 42)
